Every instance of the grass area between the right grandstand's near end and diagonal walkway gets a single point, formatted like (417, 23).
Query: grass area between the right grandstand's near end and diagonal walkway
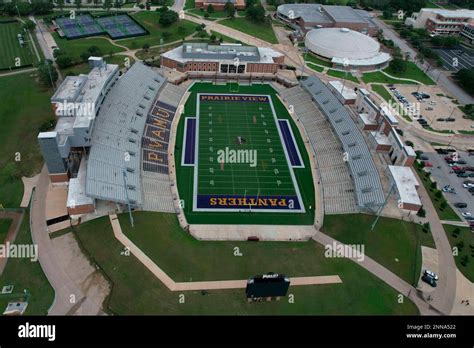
(393, 243)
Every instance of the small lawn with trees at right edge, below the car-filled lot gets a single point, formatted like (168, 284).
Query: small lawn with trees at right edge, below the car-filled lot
(466, 250)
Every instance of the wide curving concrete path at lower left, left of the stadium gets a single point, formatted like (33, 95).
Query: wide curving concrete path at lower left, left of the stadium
(62, 284)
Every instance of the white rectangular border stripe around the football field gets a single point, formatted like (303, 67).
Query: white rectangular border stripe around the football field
(290, 168)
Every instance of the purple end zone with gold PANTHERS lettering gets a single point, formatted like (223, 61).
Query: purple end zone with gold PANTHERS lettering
(246, 202)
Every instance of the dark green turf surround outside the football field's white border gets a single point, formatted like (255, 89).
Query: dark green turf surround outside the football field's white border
(185, 174)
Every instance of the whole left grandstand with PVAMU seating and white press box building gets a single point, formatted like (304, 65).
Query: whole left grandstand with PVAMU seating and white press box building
(119, 146)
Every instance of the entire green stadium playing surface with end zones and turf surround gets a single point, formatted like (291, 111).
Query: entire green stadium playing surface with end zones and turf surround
(242, 154)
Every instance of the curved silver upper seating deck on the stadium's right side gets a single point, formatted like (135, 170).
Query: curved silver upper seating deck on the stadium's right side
(368, 187)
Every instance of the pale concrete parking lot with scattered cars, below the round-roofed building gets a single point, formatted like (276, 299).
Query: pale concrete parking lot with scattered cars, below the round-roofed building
(435, 108)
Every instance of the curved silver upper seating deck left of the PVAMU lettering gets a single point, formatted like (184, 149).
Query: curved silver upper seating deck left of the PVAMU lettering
(116, 138)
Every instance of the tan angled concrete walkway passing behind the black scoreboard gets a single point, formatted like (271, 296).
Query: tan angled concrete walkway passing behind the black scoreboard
(204, 285)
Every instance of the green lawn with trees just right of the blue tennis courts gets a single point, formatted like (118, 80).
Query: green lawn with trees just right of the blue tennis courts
(149, 19)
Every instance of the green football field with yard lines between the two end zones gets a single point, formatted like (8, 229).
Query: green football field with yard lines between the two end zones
(254, 166)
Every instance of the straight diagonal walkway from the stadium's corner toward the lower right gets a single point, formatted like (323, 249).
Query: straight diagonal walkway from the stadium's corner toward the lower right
(384, 274)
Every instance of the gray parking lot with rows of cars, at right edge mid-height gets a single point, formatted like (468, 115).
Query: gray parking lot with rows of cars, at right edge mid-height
(443, 174)
